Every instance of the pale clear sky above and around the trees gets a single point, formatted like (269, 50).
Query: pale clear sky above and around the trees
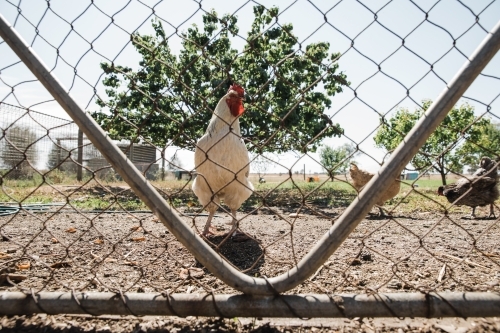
(394, 53)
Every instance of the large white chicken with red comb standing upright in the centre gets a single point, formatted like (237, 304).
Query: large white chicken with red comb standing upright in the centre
(221, 160)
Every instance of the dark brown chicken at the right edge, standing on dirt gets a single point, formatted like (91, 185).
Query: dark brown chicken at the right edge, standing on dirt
(479, 190)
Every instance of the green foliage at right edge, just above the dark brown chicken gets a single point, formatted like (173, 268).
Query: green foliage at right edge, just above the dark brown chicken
(488, 144)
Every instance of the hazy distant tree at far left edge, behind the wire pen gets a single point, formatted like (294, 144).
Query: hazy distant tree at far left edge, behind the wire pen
(19, 147)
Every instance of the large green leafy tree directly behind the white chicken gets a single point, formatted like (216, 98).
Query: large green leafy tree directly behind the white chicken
(170, 99)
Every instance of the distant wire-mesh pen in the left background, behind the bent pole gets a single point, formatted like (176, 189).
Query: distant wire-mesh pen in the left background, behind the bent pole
(35, 142)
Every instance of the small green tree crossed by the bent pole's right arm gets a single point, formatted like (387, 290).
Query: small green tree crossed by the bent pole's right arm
(441, 149)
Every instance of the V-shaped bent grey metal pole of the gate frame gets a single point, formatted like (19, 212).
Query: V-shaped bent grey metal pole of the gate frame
(337, 233)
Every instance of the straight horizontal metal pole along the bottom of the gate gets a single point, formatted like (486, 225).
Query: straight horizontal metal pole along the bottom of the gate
(447, 304)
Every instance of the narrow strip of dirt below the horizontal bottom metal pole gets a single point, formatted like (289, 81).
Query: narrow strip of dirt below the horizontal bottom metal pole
(105, 324)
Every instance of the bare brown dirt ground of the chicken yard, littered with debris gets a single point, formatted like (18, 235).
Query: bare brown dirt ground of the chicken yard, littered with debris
(132, 252)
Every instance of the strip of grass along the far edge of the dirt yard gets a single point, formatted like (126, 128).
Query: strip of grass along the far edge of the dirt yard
(179, 194)
